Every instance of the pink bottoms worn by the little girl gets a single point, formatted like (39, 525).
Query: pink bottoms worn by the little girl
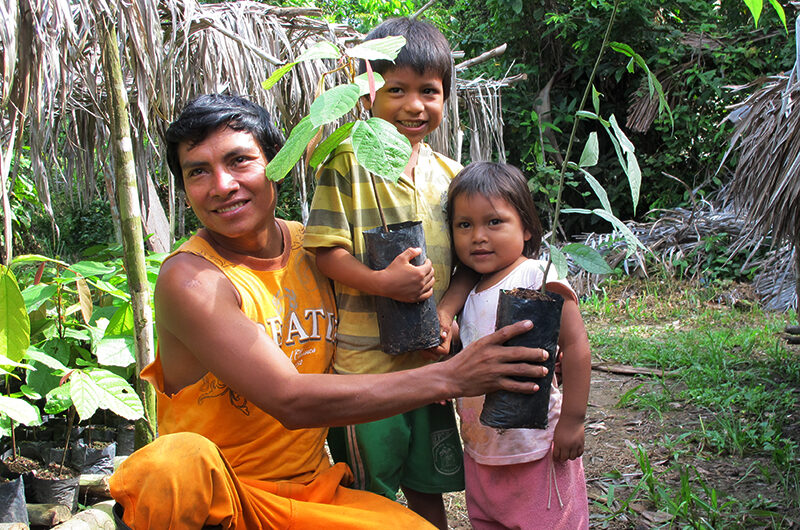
(542, 494)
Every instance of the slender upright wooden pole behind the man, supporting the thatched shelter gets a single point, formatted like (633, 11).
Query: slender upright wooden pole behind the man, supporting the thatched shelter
(131, 221)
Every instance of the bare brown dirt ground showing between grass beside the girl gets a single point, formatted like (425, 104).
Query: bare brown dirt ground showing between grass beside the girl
(611, 433)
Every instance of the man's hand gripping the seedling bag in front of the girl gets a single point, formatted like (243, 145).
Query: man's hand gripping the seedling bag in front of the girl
(486, 365)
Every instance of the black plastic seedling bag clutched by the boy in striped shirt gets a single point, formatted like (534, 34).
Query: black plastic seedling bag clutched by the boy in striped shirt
(404, 327)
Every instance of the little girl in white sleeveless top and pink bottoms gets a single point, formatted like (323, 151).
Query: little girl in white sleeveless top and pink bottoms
(517, 478)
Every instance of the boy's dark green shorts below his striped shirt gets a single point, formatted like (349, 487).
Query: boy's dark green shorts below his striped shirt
(420, 450)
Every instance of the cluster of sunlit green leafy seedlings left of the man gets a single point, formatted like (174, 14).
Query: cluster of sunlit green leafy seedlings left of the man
(67, 341)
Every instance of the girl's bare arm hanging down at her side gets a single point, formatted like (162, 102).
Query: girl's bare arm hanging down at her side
(576, 369)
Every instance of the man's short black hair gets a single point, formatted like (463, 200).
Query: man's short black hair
(207, 113)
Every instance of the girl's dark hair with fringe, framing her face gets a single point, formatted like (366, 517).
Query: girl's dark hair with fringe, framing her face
(504, 181)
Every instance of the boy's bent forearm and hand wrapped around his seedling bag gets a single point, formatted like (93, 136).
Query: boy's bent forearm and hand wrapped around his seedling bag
(401, 280)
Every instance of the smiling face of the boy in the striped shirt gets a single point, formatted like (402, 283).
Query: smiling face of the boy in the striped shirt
(411, 102)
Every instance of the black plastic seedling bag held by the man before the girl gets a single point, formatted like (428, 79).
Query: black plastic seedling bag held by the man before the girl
(511, 410)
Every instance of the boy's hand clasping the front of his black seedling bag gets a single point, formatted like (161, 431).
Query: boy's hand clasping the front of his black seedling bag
(406, 282)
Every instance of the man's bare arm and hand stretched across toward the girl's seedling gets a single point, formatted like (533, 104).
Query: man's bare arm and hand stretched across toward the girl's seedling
(197, 310)
